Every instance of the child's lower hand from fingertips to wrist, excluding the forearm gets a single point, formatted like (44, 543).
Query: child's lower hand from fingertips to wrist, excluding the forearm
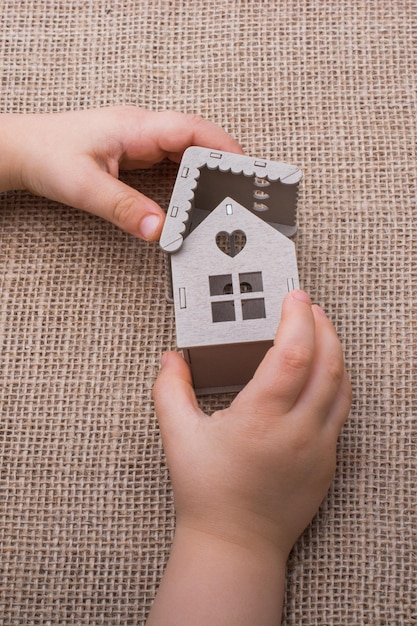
(258, 471)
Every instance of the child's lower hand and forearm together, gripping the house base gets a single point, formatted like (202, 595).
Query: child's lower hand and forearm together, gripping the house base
(248, 480)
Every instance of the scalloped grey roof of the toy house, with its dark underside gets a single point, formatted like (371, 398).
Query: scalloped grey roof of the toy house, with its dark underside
(269, 188)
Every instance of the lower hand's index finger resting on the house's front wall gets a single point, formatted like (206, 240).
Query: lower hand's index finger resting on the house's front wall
(281, 376)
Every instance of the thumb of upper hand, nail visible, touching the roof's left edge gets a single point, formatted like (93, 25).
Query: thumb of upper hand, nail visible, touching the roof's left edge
(102, 194)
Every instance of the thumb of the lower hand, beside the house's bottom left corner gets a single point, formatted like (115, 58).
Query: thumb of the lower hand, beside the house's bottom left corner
(174, 395)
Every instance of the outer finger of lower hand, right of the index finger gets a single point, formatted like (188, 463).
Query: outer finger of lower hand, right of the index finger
(328, 373)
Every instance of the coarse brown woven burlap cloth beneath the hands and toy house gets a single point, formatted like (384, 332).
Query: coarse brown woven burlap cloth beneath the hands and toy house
(86, 510)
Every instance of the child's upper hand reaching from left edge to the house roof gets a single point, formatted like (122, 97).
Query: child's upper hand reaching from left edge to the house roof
(75, 157)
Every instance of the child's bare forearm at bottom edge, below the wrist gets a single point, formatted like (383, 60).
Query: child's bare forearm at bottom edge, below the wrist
(212, 581)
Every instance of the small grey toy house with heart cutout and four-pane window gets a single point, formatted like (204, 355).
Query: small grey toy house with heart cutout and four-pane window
(231, 261)
